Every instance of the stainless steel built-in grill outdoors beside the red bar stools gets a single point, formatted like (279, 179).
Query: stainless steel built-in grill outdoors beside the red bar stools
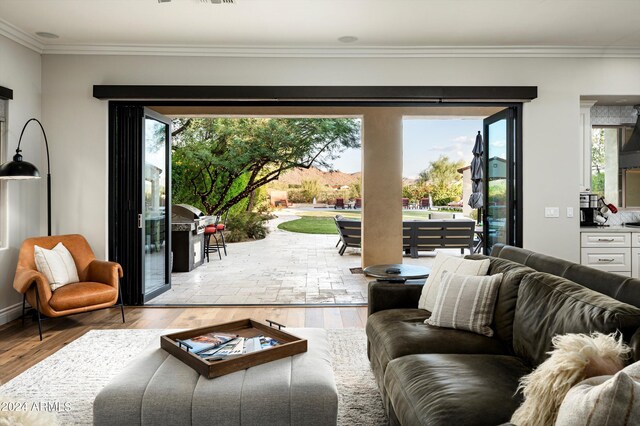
(187, 236)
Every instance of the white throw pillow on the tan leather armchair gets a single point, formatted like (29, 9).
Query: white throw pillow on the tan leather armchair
(57, 265)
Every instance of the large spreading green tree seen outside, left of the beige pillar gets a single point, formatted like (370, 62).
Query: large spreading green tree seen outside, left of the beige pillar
(218, 162)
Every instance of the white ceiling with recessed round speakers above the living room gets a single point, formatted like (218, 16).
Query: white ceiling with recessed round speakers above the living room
(317, 24)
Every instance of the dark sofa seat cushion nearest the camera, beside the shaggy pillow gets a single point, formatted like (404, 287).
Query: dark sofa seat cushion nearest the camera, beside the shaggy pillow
(454, 389)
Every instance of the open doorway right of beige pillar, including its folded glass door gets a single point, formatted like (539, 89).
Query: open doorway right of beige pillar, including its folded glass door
(460, 183)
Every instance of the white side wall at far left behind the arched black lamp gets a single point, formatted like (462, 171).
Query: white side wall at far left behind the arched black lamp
(20, 70)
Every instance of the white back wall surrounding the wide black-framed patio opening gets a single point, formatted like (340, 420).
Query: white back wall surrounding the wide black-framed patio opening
(77, 123)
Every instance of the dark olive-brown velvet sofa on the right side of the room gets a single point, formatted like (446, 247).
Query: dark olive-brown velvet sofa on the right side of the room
(438, 376)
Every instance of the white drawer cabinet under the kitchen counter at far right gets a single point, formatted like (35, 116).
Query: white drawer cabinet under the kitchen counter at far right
(611, 251)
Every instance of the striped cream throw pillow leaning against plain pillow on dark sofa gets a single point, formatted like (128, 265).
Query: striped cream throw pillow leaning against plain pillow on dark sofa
(466, 302)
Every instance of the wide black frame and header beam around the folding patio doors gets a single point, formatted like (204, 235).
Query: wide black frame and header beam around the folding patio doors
(370, 96)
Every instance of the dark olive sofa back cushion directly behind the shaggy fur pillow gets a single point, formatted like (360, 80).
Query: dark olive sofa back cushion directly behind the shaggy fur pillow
(549, 305)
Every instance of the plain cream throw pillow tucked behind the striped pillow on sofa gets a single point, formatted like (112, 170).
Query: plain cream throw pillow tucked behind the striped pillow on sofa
(454, 265)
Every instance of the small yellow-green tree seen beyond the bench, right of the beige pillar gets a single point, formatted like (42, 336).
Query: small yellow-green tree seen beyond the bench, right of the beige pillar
(444, 179)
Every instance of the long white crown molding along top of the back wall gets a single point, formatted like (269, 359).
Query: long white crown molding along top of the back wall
(346, 52)
